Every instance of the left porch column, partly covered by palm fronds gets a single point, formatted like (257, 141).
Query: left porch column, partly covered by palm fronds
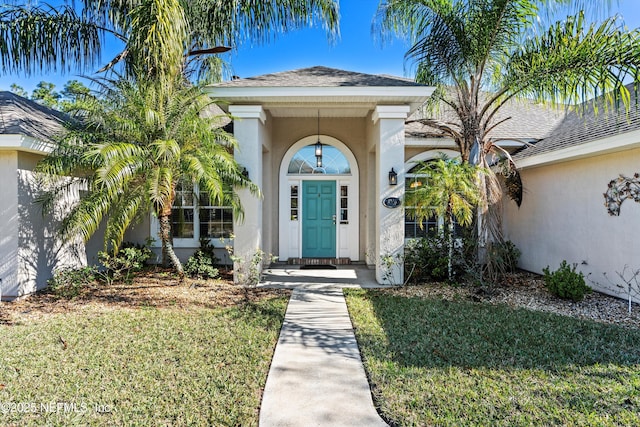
(248, 129)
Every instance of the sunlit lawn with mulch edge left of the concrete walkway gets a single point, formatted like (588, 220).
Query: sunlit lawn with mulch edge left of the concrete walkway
(145, 358)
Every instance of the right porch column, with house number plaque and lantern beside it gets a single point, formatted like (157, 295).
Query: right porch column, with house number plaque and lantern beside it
(389, 221)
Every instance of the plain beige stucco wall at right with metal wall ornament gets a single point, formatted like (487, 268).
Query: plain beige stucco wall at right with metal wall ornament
(563, 217)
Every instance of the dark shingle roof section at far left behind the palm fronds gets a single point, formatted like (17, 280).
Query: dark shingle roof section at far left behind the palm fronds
(19, 115)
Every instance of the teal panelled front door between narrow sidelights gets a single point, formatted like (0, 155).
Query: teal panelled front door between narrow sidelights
(318, 219)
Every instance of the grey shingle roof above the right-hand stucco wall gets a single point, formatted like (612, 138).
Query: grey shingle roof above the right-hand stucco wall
(583, 126)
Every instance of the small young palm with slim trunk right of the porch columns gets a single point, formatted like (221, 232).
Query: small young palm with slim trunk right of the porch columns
(451, 193)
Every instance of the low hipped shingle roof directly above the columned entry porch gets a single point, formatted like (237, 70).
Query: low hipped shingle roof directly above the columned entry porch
(319, 77)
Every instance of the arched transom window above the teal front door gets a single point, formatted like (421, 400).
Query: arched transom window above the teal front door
(333, 162)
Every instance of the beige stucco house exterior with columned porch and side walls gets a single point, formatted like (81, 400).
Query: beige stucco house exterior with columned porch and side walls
(562, 217)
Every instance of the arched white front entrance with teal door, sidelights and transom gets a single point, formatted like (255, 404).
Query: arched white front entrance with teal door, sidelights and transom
(307, 228)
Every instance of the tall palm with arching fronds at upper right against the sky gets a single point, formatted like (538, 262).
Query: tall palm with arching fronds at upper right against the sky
(480, 54)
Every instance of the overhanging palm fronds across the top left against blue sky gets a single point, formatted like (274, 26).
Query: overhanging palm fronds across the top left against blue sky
(157, 34)
